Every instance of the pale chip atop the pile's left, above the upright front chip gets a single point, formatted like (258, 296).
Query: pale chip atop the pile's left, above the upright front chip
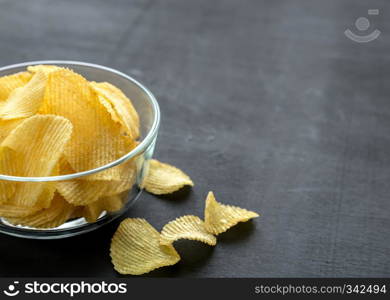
(25, 101)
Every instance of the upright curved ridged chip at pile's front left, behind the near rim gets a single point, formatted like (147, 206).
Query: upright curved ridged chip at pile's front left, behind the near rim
(37, 145)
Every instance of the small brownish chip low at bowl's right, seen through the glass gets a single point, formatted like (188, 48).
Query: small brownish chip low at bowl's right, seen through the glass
(93, 211)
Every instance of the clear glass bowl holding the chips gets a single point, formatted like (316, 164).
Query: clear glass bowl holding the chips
(136, 161)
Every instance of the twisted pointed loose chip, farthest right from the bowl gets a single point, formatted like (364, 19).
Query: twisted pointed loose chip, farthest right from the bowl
(220, 217)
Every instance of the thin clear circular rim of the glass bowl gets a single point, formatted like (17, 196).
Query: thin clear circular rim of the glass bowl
(147, 141)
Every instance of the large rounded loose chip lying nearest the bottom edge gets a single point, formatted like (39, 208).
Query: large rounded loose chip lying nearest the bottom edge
(136, 249)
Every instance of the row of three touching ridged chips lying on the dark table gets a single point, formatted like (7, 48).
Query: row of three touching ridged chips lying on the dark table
(138, 248)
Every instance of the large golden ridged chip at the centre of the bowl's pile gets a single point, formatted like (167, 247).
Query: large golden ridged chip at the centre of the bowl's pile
(96, 139)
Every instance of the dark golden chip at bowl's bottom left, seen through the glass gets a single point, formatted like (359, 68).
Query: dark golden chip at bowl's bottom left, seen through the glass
(42, 216)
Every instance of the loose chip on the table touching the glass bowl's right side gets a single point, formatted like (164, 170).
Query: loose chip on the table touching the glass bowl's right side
(165, 179)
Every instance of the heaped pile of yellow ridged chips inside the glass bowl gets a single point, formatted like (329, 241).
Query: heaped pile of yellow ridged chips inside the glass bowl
(55, 122)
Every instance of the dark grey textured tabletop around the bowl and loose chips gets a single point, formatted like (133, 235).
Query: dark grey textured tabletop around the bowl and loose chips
(265, 102)
